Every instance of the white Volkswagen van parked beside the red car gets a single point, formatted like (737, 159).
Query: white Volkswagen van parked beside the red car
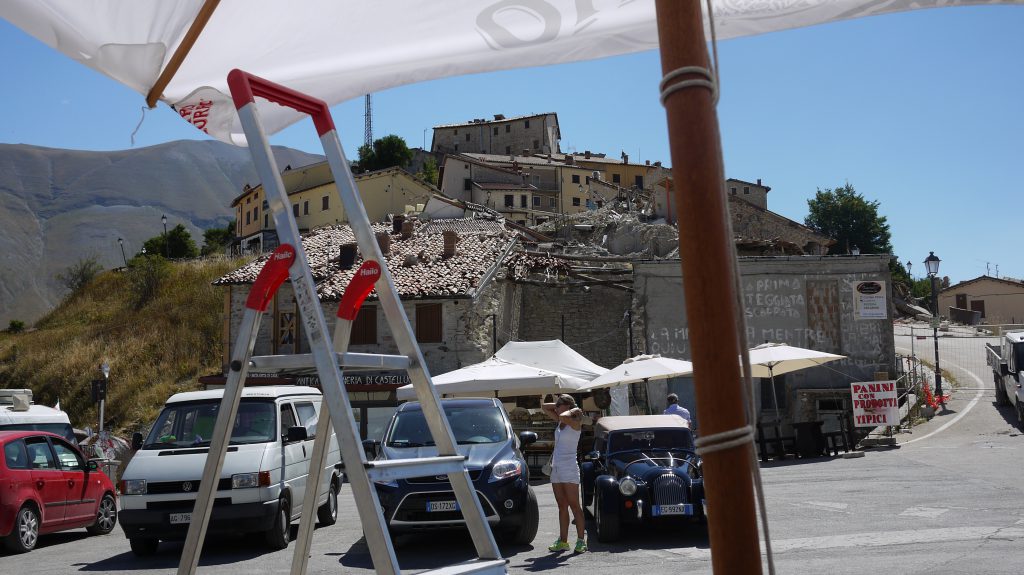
(265, 475)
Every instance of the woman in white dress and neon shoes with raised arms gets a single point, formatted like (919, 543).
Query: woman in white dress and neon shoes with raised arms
(566, 471)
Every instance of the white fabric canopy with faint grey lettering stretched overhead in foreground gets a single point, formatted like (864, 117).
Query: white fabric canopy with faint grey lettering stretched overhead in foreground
(337, 51)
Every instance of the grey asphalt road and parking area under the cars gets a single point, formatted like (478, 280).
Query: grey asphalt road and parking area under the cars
(951, 500)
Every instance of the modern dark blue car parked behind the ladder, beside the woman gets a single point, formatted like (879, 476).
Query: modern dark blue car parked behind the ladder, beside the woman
(496, 466)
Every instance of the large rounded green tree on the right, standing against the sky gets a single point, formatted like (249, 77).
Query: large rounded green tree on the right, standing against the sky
(852, 222)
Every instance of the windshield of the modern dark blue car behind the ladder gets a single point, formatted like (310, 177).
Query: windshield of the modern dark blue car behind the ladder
(478, 424)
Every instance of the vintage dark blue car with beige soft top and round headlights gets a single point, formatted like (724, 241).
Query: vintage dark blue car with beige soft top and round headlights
(644, 469)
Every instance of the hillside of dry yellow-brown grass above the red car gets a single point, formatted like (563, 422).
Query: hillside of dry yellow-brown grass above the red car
(158, 326)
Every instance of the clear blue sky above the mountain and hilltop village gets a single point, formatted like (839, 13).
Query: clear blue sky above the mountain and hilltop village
(922, 112)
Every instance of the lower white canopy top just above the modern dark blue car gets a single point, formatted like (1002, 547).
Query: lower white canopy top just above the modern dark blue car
(498, 378)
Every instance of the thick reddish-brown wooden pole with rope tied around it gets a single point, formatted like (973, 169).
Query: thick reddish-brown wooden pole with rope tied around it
(709, 283)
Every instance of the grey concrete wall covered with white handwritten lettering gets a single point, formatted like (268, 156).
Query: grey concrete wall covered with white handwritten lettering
(800, 300)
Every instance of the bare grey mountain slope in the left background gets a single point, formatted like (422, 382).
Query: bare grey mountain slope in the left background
(61, 206)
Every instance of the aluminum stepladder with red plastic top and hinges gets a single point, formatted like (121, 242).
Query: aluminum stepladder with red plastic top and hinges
(361, 473)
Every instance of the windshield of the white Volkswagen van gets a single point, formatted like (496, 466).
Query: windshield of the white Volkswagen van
(191, 425)
